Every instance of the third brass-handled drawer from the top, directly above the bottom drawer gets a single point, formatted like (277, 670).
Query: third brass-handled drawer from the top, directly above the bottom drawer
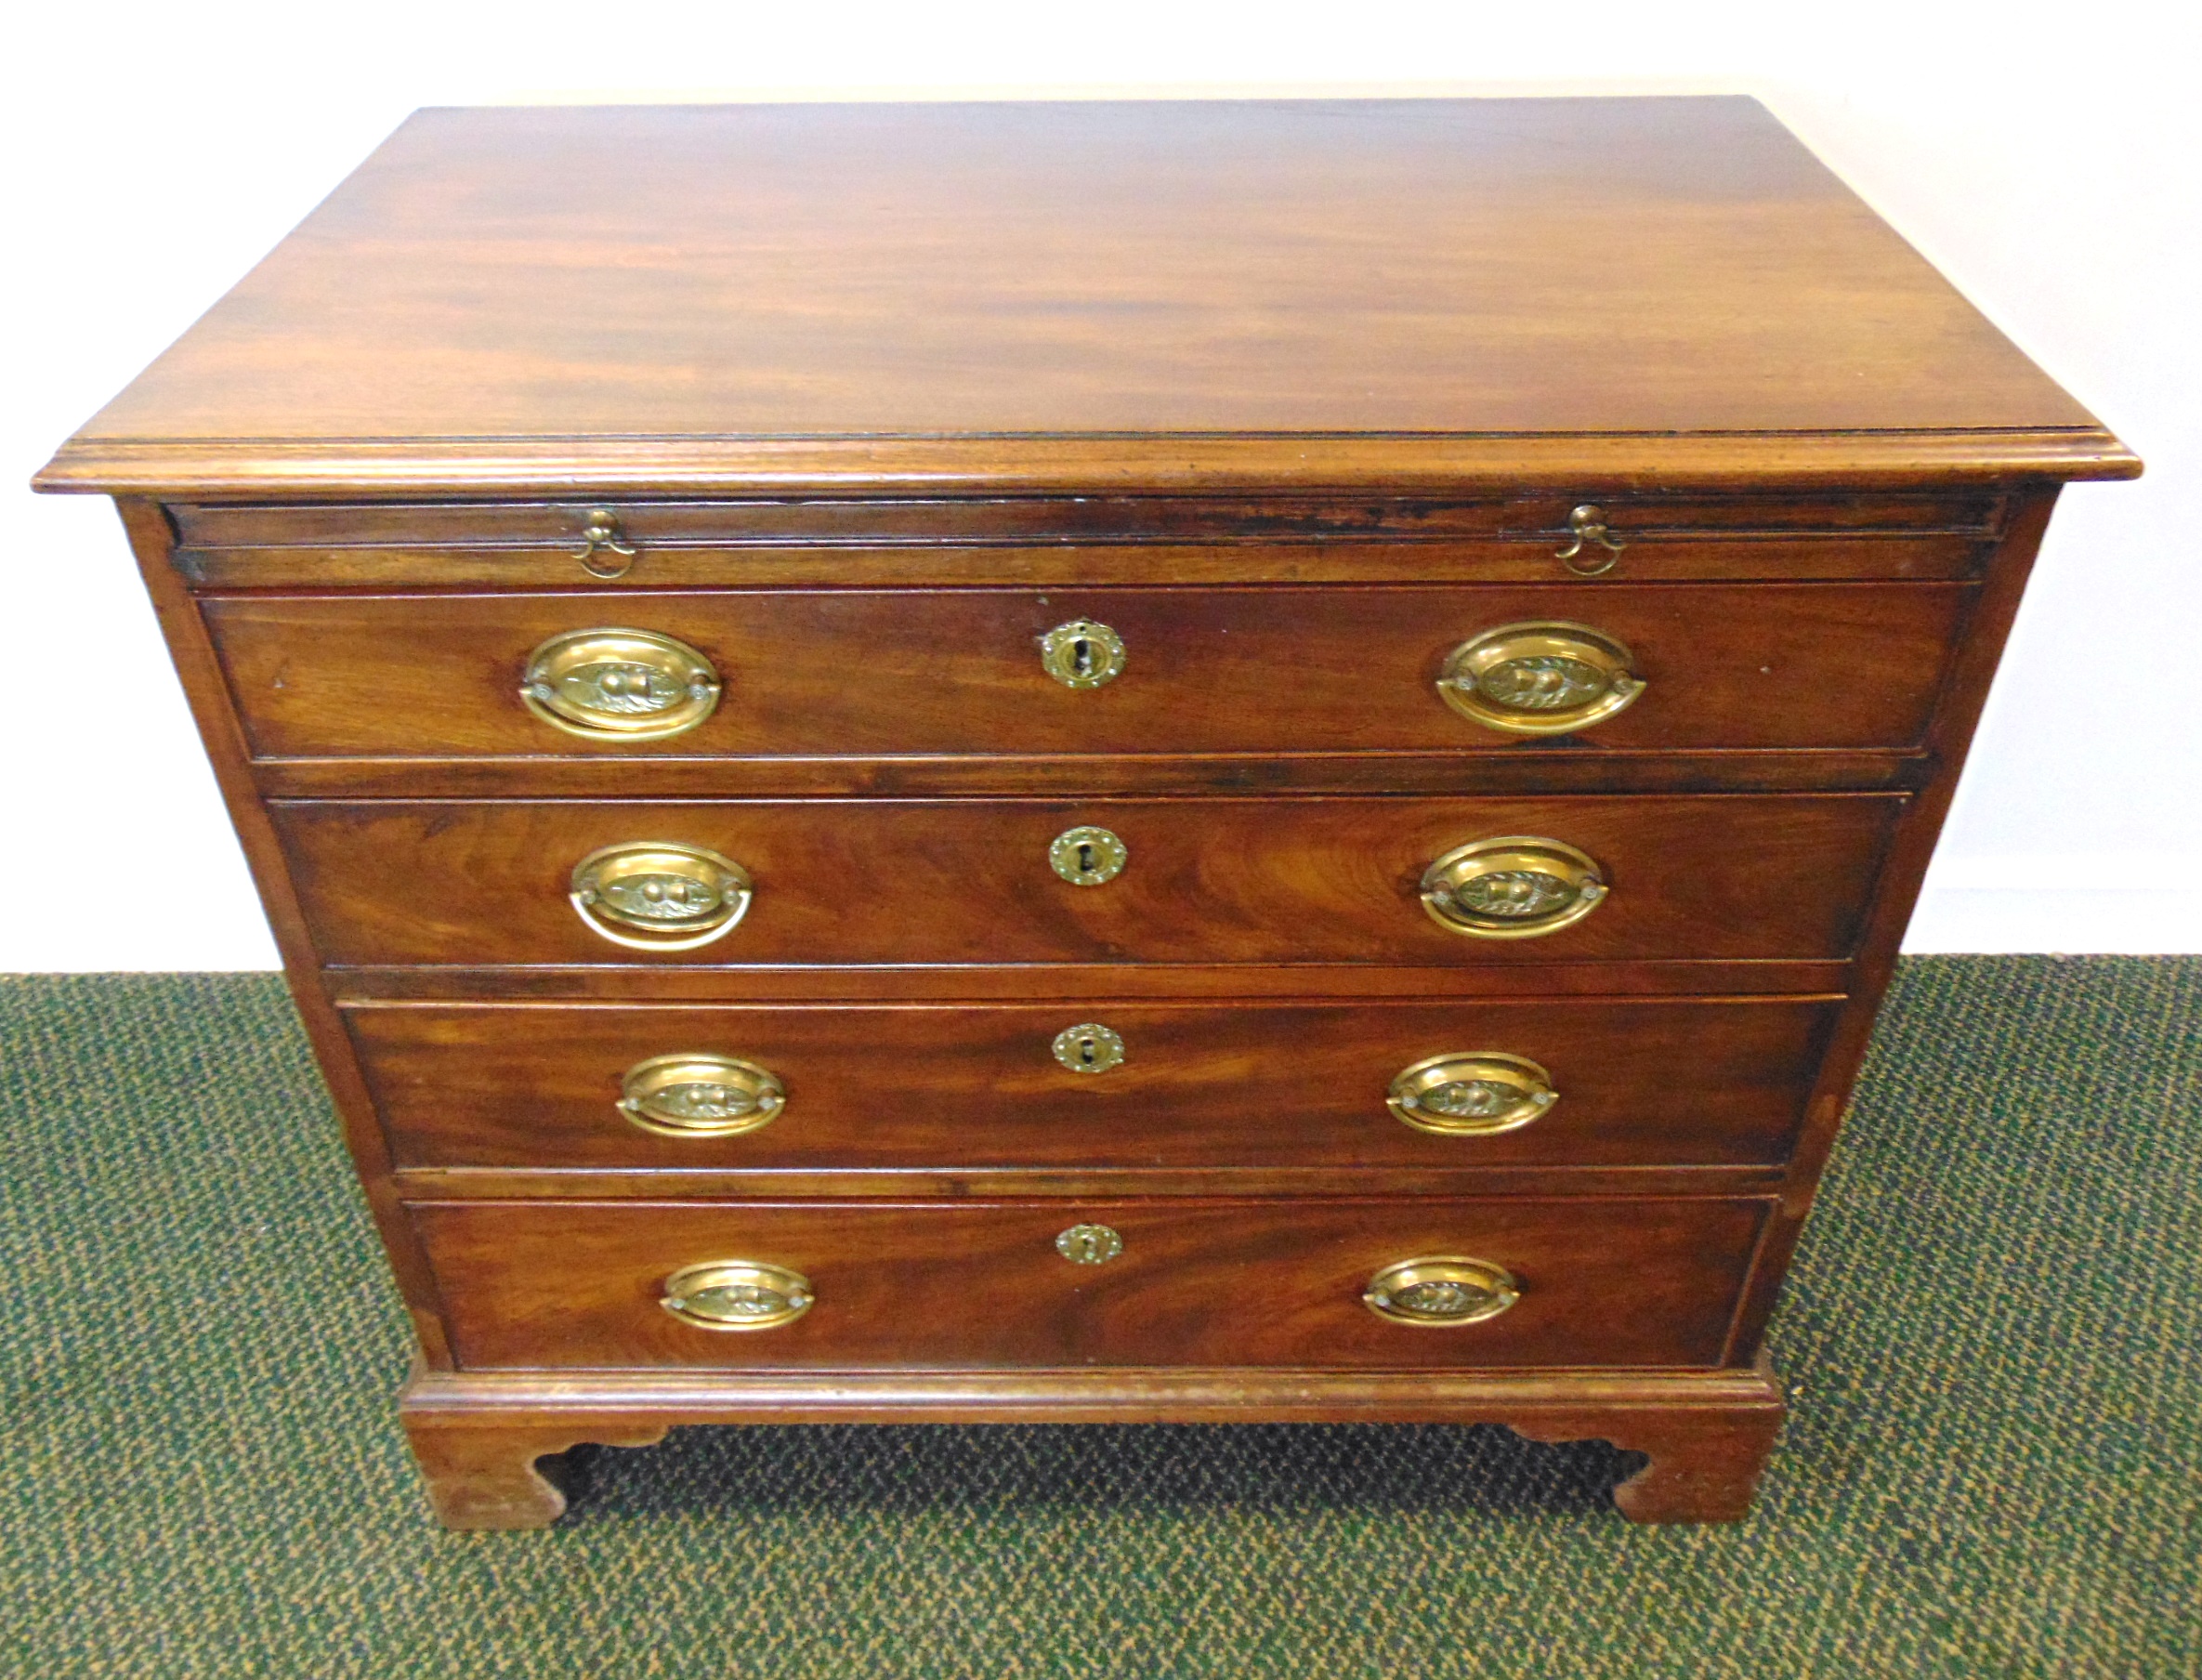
(1540, 1082)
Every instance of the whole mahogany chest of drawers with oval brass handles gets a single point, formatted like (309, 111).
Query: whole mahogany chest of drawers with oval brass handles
(1089, 763)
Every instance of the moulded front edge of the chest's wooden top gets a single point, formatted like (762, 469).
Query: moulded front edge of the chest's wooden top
(1181, 466)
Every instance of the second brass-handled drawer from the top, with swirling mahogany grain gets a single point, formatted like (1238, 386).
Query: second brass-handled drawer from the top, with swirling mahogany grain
(979, 882)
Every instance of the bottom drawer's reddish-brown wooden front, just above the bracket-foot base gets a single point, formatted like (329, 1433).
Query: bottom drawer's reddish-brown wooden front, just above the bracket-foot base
(988, 1285)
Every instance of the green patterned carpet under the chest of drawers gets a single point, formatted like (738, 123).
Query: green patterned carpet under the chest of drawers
(1992, 1468)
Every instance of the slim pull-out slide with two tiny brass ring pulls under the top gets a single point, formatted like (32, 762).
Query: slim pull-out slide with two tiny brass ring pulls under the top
(1089, 541)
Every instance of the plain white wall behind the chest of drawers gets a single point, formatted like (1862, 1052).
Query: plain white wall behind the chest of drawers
(2047, 160)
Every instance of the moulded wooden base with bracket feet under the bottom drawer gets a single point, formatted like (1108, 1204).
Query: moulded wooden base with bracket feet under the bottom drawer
(479, 1437)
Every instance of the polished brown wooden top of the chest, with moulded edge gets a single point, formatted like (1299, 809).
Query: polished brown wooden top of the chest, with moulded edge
(886, 294)
